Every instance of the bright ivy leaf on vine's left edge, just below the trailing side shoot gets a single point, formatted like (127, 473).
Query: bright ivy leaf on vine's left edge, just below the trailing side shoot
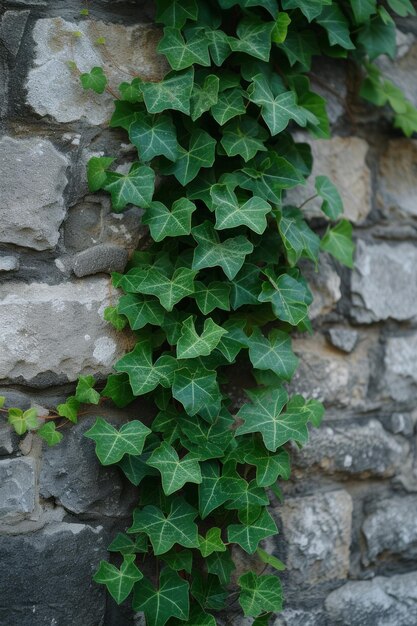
(113, 444)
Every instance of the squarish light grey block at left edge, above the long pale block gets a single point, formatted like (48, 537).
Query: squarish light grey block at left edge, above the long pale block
(31, 187)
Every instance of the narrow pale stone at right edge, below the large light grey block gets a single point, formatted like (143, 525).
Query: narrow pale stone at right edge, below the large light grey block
(400, 380)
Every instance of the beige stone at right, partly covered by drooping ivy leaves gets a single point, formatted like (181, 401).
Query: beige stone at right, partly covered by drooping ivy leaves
(342, 159)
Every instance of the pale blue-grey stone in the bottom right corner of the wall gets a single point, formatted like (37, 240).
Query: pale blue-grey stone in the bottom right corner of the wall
(383, 601)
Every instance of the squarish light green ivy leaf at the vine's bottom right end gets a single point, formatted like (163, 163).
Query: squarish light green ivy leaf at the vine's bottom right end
(259, 594)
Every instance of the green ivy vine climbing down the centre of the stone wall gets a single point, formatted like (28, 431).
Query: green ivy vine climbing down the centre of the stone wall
(216, 292)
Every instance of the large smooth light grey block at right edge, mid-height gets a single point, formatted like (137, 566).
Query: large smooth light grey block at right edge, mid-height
(384, 282)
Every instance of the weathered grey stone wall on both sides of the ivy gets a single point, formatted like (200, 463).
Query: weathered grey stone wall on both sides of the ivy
(349, 529)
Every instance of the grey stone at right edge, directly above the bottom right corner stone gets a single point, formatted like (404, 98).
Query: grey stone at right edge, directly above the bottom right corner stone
(391, 527)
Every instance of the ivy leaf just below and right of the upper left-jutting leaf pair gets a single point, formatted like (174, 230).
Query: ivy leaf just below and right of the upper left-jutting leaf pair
(163, 222)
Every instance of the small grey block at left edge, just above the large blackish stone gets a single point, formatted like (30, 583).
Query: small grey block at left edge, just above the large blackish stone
(17, 488)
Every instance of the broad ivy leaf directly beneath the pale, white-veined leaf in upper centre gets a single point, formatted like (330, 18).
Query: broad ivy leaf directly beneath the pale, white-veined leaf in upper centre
(211, 252)
